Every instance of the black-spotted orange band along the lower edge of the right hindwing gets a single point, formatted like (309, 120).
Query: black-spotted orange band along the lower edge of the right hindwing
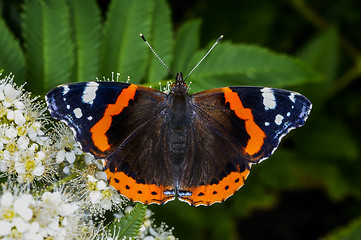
(209, 194)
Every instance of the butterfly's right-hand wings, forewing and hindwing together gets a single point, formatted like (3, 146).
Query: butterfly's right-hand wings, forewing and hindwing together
(232, 128)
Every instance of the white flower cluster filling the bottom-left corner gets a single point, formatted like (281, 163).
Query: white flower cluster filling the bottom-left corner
(23, 216)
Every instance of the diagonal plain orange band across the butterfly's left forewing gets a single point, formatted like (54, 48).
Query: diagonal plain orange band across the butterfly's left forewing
(102, 126)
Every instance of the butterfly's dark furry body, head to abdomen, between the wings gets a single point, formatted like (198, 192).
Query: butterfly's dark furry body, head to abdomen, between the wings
(179, 115)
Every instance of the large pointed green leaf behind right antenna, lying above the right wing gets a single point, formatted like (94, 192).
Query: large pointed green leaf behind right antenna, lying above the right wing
(240, 64)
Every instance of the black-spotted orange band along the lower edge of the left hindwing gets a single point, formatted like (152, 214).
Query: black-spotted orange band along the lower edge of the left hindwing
(138, 192)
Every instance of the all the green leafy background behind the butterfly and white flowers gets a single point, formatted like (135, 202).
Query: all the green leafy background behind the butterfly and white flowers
(311, 187)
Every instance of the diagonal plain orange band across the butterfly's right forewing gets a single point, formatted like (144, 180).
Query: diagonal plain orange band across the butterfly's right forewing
(255, 132)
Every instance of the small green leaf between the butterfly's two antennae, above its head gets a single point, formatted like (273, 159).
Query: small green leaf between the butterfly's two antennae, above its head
(186, 44)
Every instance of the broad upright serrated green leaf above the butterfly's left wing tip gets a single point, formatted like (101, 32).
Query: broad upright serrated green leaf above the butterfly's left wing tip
(49, 49)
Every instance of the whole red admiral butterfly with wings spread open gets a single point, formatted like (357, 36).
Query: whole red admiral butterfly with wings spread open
(157, 146)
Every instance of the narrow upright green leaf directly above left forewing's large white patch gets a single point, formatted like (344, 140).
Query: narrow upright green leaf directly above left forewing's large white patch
(86, 22)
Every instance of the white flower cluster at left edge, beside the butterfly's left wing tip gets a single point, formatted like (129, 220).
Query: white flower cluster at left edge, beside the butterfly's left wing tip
(24, 148)
